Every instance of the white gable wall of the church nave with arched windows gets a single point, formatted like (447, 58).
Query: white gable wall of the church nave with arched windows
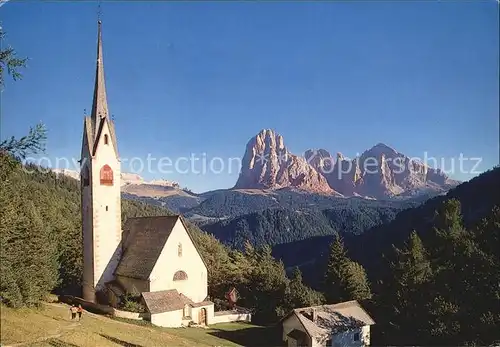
(169, 262)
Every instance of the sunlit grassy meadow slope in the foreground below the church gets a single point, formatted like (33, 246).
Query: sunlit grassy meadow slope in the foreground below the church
(51, 326)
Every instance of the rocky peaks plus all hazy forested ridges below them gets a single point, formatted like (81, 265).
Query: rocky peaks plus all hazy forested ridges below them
(281, 198)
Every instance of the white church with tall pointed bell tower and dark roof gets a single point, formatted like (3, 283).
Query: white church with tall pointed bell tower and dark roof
(152, 257)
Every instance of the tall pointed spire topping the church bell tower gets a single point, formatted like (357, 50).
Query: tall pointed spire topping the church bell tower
(100, 104)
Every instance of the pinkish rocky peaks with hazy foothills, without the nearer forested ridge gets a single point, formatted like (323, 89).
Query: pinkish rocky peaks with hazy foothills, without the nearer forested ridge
(272, 177)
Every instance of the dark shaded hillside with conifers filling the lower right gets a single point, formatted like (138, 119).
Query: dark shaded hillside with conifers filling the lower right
(434, 270)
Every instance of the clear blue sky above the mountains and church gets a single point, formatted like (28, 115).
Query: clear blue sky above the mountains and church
(199, 78)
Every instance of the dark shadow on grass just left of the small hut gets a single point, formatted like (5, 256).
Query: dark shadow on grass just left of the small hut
(252, 336)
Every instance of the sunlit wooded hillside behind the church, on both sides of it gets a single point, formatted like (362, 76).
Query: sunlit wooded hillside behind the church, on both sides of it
(41, 241)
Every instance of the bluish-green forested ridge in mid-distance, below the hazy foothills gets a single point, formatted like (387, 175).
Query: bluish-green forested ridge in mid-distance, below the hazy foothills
(279, 225)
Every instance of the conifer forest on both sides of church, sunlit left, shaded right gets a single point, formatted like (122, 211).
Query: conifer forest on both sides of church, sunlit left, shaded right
(441, 288)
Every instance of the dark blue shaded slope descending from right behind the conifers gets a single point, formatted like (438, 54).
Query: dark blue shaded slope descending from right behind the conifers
(477, 197)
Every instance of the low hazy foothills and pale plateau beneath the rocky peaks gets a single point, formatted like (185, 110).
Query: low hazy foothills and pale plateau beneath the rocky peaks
(225, 204)
